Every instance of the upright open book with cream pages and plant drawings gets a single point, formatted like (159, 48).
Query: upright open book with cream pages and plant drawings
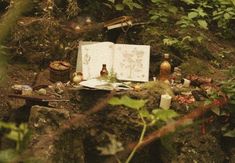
(128, 62)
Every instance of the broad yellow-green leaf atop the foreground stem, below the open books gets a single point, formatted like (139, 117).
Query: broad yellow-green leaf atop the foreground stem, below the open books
(128, 102)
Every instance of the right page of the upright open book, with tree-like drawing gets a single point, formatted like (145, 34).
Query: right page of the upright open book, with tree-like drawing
(131, 62)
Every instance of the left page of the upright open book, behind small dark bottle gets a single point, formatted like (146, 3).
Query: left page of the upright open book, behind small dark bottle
(94, 56)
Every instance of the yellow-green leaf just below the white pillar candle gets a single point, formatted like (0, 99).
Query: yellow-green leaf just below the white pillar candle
(164, 115)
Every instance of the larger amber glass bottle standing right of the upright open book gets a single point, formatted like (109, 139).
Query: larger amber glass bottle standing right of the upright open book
(165, 69)
